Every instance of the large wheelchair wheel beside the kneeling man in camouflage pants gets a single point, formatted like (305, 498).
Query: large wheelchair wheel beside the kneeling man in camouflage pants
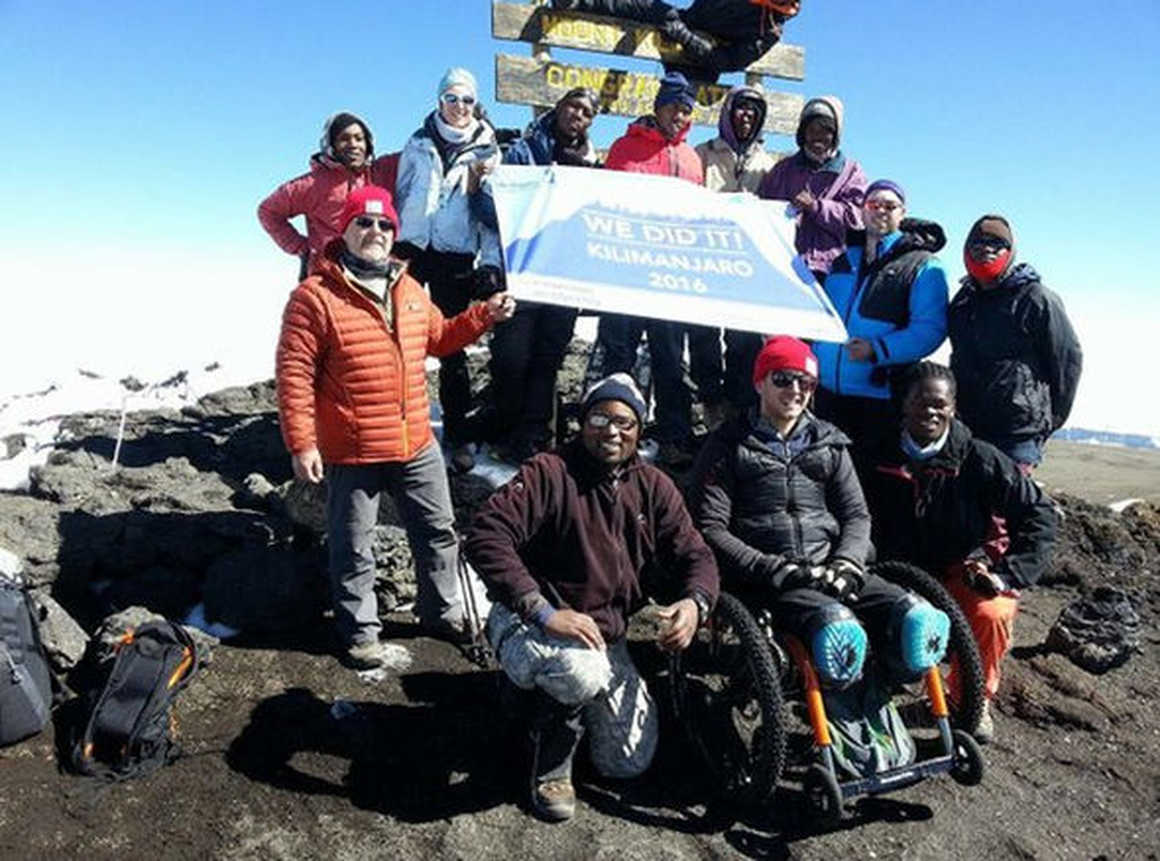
(728, 696)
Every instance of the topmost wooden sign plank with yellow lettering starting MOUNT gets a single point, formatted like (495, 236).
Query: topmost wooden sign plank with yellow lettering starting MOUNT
(521, 23)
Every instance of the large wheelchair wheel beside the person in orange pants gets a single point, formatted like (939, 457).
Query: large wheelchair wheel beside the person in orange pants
(962, 652)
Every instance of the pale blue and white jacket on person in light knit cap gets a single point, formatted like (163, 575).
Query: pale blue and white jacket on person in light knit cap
(433, 201)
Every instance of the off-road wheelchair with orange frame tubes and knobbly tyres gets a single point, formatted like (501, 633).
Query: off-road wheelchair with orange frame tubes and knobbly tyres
(753, 710)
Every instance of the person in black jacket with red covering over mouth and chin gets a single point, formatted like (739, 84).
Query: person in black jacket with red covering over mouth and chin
(1014, 352)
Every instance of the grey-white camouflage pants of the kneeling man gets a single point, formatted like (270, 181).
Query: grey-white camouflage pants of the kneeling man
(615, 706)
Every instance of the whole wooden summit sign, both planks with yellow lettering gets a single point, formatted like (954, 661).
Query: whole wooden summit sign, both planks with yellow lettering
(541, 81)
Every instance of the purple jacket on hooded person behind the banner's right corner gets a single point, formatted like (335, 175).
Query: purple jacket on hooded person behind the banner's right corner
(839, 186)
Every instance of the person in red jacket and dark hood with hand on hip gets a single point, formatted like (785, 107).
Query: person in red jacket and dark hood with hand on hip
(345, 162)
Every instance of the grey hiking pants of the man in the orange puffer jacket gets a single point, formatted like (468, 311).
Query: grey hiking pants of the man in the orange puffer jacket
(420, 491)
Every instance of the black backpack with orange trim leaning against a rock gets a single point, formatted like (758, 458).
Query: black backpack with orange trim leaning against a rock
(130, 729)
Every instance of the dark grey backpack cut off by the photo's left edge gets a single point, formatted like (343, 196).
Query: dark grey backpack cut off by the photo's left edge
(26, 689)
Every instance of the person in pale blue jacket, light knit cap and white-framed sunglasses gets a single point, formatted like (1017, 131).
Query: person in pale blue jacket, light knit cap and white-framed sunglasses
(451, 249)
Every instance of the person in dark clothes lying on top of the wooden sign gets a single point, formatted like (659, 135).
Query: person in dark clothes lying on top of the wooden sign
(742, 31)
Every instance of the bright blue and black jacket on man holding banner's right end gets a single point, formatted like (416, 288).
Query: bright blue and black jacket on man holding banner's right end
(898, 303)
